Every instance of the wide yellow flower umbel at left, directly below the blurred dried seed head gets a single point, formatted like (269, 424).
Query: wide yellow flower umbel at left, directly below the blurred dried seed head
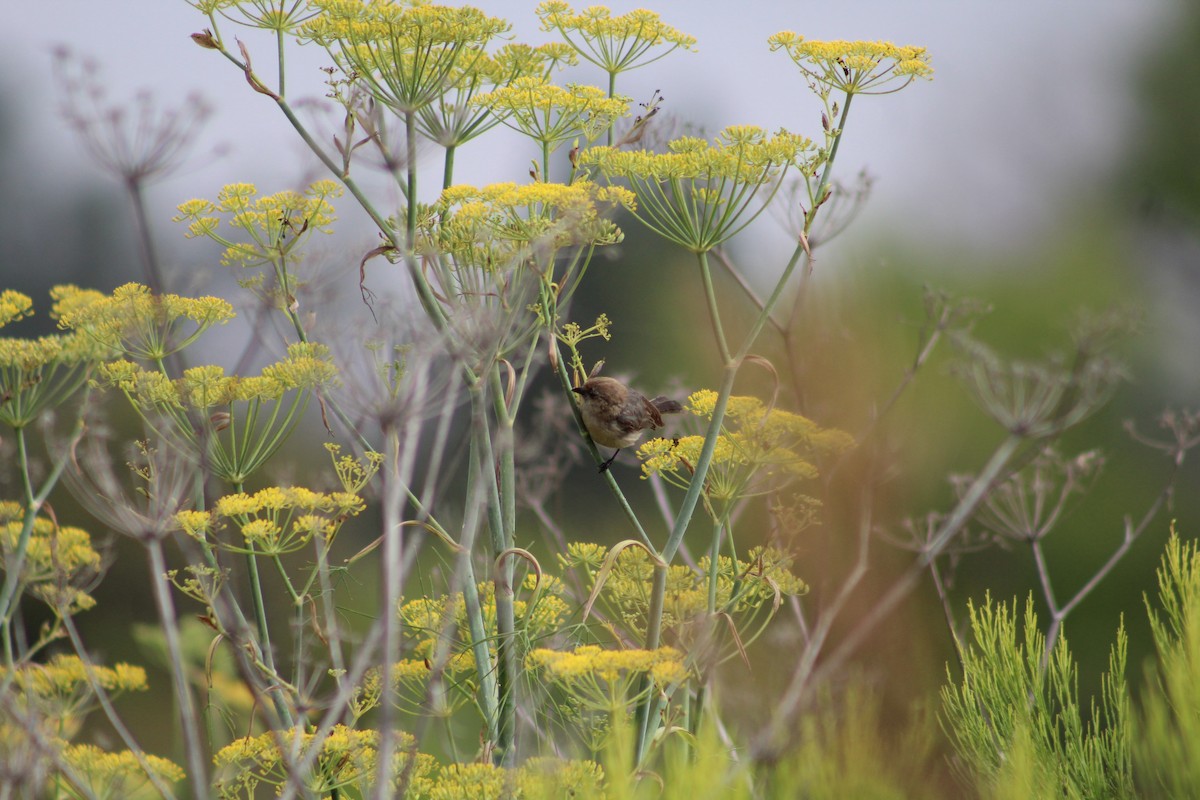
(146, 326)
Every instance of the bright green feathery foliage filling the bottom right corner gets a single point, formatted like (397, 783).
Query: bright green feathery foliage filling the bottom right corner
(1018, 725)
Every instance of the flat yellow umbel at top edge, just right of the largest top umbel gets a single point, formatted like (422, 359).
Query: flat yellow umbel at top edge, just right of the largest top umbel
(614, 44)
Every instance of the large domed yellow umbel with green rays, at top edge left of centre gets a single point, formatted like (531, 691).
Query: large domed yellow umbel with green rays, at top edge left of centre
(405, 55)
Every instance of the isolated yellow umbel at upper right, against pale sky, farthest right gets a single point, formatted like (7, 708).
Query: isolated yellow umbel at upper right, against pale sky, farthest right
(855, 68)
